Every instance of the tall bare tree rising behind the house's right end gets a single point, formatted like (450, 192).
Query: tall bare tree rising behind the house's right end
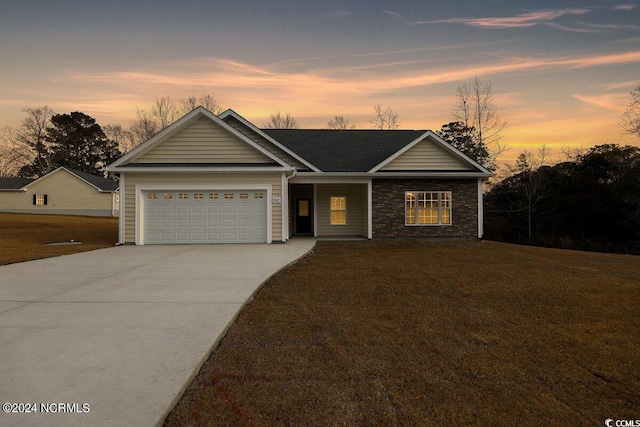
(475, 107)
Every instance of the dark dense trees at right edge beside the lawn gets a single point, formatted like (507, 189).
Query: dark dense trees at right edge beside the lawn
(591, 203)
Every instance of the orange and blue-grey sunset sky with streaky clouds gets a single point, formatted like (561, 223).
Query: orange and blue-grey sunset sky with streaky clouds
(561, 70)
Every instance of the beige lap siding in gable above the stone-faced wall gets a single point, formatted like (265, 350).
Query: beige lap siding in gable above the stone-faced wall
(425, 156)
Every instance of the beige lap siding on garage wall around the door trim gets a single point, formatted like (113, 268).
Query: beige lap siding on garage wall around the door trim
(199, 179)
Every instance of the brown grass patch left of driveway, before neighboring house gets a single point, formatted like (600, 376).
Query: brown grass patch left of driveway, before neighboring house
(25, 237)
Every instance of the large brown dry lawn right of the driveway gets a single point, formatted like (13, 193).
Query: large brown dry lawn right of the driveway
(421, 333)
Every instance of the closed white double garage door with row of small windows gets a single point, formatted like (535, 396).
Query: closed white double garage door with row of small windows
(184, 217)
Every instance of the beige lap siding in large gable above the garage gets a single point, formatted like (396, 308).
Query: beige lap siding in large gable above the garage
(203, 142)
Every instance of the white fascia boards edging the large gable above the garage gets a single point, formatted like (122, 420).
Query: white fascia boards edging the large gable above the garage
(179, 125)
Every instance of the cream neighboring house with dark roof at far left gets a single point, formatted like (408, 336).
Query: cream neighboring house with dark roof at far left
(63, 191)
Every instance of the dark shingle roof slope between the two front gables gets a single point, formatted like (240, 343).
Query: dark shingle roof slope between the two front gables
(344, 150)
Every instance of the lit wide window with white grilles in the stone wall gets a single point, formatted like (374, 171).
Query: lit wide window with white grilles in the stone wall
(427, 207)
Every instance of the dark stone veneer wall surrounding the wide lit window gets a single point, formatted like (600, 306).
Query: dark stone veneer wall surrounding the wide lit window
(388, 208)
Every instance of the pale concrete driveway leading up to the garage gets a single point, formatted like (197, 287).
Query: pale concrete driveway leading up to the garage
(112, 337)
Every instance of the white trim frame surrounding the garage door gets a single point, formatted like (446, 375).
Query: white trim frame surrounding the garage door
(140, 200)
